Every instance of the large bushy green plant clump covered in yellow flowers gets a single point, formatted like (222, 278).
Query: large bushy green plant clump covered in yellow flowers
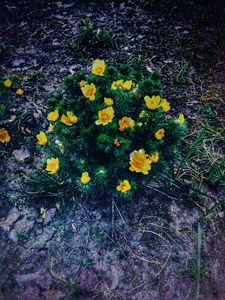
(109, 131)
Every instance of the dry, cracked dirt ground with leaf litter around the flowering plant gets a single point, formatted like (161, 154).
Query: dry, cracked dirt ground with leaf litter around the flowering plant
(148, 248)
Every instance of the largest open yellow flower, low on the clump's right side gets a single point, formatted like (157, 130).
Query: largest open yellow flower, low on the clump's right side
(140, 162)
